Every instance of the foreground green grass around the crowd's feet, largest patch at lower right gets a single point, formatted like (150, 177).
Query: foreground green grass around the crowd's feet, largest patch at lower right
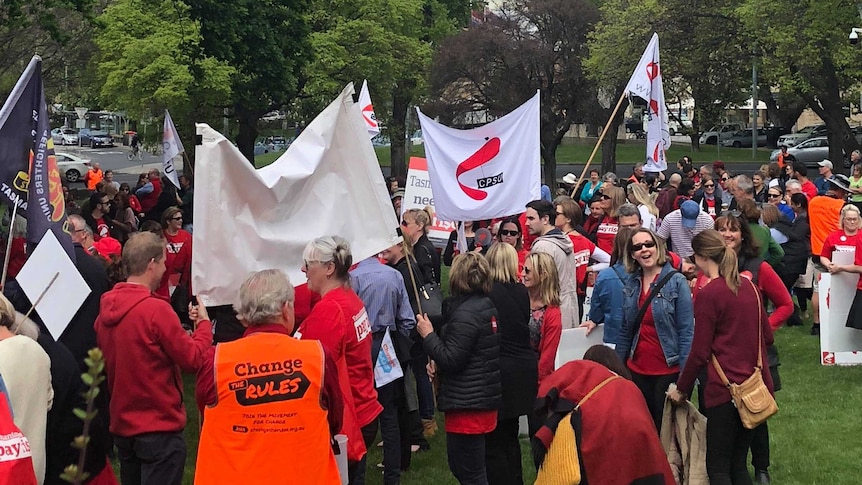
(814, 438)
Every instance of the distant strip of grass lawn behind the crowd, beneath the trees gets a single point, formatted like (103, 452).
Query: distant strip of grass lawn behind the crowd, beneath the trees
(577, 151)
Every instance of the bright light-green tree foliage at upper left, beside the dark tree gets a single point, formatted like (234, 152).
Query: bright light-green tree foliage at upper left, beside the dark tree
(143, 62)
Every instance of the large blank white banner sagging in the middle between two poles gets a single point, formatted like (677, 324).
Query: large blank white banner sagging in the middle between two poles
(328, 182)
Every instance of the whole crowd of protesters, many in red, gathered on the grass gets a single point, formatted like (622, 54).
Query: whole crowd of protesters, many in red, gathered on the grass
(360, 351)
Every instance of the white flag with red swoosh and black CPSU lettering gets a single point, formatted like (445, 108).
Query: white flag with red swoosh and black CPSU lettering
(486, 172)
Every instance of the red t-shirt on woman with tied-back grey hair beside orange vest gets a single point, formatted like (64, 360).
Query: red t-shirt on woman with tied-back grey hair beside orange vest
(341, 325)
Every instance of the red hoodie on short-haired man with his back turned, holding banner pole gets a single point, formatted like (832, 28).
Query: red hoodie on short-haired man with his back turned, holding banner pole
(145, 346)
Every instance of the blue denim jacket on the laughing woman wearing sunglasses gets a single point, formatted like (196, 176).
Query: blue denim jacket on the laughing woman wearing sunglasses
(672, 311)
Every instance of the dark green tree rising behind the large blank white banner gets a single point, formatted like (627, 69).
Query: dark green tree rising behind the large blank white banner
(267, 45)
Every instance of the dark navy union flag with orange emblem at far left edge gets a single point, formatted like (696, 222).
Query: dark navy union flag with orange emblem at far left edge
(27, 161)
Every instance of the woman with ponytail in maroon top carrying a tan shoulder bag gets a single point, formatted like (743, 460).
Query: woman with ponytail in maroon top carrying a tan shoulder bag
(729, 320)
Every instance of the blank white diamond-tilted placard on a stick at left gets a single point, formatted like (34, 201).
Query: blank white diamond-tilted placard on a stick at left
(65, 296)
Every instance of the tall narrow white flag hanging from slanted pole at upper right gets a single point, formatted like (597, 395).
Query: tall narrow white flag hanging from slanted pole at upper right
(646, 84)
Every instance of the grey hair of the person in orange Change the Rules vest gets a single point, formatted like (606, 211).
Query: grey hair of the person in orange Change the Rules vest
(262, 297)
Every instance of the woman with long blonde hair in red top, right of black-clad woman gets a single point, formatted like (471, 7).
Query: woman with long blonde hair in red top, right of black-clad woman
(546, 326)
